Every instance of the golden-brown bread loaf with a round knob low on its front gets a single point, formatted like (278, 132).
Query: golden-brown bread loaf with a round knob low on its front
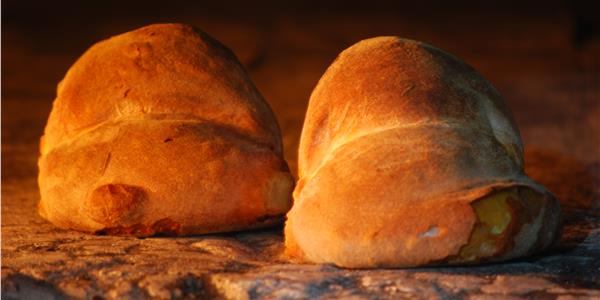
(160, 131)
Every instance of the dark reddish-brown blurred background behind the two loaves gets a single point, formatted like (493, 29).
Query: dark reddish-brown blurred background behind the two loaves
(543, 56)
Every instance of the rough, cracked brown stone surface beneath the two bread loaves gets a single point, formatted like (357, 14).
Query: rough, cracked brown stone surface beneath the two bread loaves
(40, 260)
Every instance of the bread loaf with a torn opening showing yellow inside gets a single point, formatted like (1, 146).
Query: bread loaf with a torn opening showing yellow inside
(409, 157)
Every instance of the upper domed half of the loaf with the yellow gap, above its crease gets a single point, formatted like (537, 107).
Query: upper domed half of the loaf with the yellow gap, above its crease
(388, 82)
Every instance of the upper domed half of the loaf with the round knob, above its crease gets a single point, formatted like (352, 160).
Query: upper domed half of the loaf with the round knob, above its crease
(171, 69)
